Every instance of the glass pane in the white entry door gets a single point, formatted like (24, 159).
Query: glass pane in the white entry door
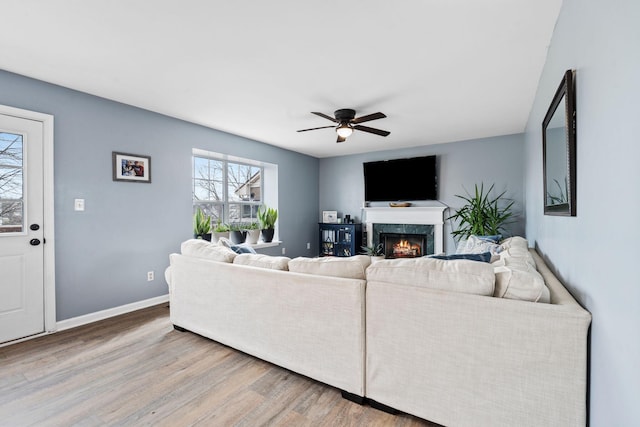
(11, 189)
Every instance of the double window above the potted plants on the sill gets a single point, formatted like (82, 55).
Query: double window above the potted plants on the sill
(229, 190)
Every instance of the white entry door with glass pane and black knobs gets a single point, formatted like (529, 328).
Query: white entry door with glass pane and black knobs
(21, 228)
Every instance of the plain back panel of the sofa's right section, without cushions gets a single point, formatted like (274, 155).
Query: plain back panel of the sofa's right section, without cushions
(468, 360)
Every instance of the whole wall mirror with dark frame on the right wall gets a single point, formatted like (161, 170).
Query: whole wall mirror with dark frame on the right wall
(559, 150)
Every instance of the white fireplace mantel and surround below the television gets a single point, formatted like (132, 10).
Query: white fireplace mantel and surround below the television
(429, 215)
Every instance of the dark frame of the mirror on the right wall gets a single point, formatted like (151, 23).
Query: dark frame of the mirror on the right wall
(565, 91)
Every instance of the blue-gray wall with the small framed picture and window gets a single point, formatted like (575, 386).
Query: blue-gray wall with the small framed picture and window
(103, 254)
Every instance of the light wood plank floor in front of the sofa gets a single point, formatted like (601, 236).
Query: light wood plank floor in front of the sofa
(135, 369)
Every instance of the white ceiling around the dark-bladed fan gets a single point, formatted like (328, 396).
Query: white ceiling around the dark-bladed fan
(441, 70)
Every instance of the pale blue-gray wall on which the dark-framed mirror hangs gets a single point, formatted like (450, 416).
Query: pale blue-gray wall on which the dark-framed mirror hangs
(595, 252)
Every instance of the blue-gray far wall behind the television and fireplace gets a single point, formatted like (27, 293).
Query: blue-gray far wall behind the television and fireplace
(460, 165)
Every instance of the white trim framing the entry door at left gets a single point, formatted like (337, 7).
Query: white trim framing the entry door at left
(48, 220)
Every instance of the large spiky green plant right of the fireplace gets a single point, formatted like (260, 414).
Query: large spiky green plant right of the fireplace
(482, 215)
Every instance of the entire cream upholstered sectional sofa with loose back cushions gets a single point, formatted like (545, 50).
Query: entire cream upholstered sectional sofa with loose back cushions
(452, 342)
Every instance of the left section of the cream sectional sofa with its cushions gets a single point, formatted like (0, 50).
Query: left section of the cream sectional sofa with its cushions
(310, 324)
